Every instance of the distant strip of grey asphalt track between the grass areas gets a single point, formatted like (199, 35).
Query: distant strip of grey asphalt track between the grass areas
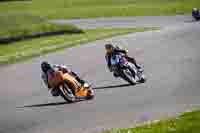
(127, 22)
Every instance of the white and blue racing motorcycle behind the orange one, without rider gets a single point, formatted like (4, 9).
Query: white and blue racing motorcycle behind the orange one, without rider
(126, 70)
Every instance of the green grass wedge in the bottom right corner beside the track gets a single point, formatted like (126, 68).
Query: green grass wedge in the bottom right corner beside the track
(186, 123)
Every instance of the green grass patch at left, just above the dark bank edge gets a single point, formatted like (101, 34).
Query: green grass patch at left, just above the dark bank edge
(23, 24)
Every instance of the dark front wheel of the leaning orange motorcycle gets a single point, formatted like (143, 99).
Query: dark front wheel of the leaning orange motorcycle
(67, 93)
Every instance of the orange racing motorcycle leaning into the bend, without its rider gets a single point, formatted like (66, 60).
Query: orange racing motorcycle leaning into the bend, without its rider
(69, 87)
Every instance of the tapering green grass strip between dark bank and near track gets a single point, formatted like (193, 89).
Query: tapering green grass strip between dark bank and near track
(35, 47)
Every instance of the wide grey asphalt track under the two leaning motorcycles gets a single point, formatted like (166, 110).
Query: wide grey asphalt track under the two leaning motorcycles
(171, 59)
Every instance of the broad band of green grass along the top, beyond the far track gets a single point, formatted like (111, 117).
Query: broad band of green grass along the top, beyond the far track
(100, 8)
